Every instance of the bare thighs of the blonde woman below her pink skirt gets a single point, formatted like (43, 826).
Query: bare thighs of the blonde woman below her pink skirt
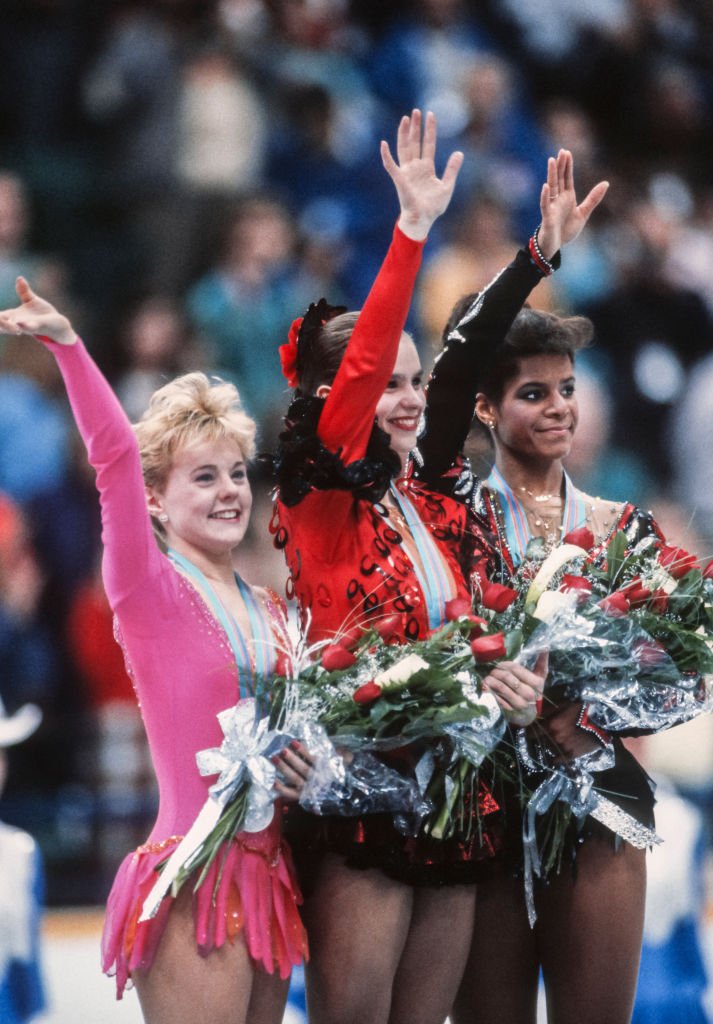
(184, 988)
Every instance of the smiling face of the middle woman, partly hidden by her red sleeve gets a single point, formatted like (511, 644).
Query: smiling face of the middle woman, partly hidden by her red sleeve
(400, 408)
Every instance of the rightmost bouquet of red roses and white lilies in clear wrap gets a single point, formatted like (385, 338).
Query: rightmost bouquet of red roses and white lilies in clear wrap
(630, 630)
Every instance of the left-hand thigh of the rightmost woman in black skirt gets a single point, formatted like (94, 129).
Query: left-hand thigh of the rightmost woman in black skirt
(501, 976)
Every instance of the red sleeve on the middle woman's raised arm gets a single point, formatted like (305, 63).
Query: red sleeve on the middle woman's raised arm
(348, 418)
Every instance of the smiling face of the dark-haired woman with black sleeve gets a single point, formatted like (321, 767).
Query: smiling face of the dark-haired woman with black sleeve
(537, 416)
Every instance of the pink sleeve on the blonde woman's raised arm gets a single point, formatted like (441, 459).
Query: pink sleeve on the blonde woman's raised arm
(131, 550)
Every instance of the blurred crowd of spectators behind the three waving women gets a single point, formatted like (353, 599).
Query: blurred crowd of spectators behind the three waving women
(184, 178)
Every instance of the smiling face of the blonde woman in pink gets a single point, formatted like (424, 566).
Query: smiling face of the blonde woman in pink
(206, 497)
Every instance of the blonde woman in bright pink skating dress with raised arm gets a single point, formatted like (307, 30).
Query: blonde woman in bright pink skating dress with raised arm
(196, 638)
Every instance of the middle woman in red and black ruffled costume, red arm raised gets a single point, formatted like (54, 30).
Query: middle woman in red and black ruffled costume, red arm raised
(389, 923)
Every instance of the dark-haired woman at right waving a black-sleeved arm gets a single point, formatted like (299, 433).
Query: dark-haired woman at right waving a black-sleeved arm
(515, 367)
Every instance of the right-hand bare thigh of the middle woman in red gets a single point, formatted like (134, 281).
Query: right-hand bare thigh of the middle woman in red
(435, 957)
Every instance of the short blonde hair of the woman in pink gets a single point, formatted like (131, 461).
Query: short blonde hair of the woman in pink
(190, 410)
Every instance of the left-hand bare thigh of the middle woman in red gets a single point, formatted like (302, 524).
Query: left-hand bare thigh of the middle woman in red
(358, 922)
